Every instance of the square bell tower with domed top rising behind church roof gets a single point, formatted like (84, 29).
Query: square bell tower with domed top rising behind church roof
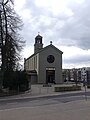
(38, 43)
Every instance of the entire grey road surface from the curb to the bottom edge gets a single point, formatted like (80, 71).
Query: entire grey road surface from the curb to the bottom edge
(61, 107)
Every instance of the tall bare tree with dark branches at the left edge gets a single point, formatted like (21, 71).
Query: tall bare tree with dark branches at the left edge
(12, 43)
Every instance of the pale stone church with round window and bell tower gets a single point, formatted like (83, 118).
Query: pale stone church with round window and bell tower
(45, 65)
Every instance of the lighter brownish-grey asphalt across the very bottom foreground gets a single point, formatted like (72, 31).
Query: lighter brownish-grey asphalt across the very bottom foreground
(47, 110)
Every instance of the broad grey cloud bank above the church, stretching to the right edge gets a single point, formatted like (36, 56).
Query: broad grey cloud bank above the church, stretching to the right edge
(63, 29)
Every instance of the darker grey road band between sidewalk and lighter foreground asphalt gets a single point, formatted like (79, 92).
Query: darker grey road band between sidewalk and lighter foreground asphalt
(40, 101)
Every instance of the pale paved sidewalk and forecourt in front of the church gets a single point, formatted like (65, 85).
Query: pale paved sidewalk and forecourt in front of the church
(40, 91)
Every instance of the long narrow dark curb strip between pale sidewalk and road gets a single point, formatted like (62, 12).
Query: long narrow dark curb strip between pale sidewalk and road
(31, 98)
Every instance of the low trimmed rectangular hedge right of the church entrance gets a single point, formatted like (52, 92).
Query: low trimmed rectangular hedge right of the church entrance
(67, 88)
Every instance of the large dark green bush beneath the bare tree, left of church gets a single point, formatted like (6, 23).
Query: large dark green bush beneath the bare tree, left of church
(16, 80)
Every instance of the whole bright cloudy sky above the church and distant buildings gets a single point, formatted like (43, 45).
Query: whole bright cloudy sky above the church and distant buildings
(64, 22)
